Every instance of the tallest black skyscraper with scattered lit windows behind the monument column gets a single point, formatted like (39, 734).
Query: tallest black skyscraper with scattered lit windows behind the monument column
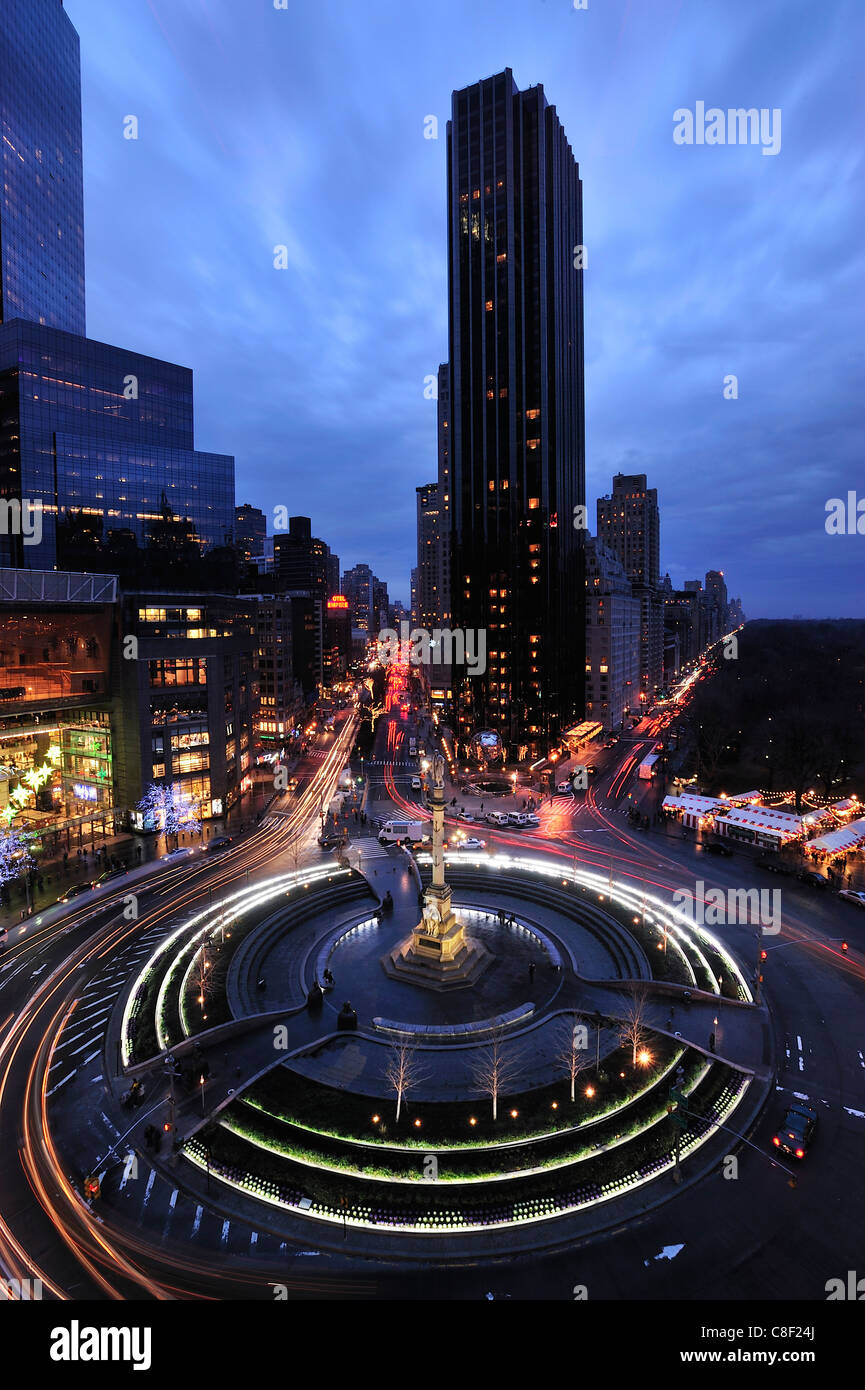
(517, 411)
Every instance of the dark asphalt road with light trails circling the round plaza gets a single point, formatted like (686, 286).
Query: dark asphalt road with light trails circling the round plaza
(746, 1236)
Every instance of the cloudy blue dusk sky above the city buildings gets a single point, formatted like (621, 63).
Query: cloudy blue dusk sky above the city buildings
(305, 129)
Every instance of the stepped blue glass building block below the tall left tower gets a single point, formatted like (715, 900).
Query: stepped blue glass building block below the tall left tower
(104, 434)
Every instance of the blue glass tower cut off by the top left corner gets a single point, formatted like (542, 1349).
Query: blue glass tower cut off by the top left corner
(42, 195)
